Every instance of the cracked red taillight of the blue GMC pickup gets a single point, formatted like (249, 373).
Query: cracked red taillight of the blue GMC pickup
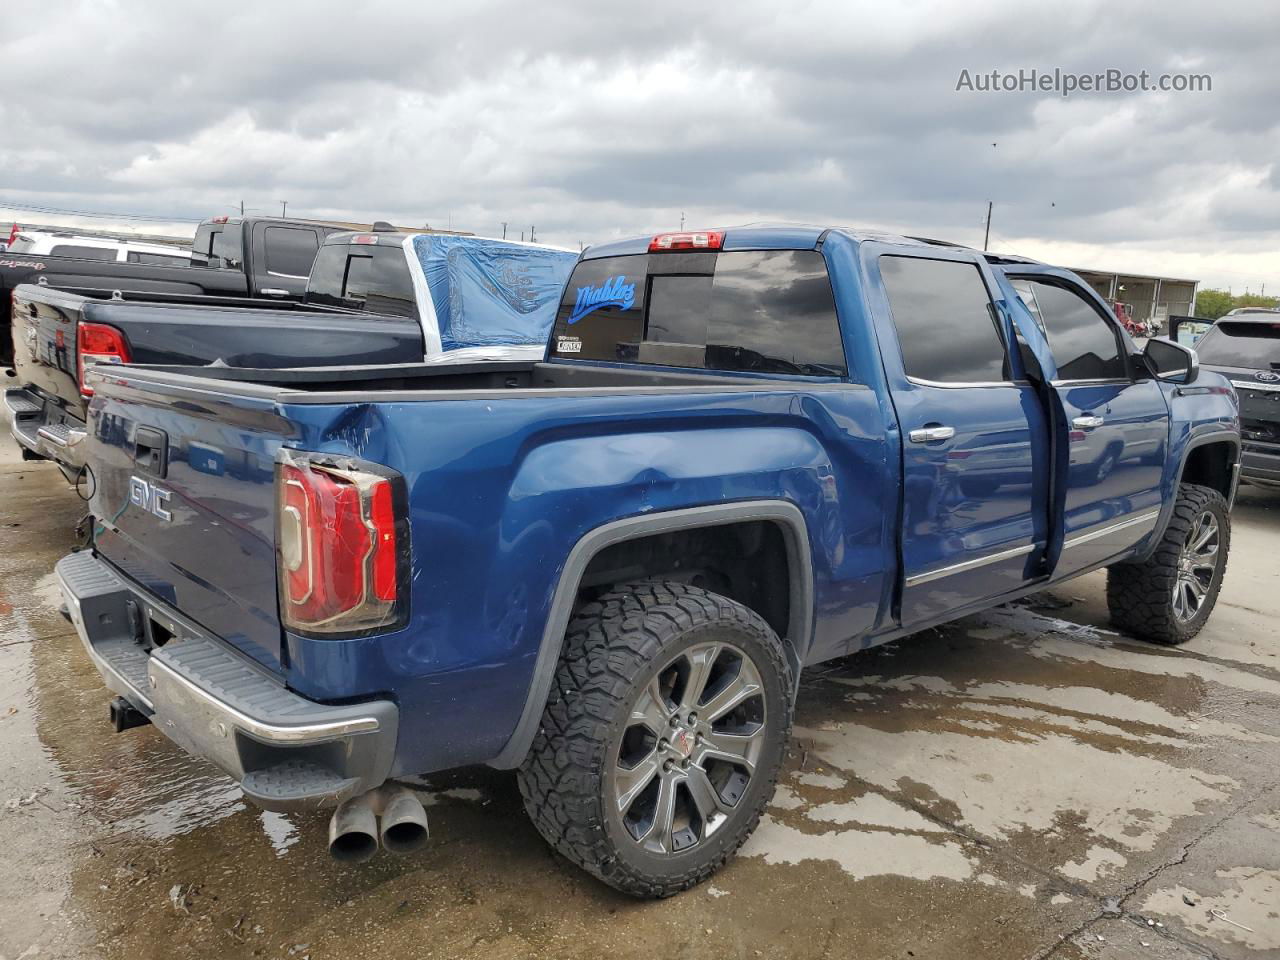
(339, 548)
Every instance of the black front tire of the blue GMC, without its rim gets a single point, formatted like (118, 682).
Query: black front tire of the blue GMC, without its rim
(1141, 596)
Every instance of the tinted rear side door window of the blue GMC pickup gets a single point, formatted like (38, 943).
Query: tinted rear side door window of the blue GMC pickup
(947, 324)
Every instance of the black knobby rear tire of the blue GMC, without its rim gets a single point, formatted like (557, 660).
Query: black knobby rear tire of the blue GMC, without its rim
(614, 648)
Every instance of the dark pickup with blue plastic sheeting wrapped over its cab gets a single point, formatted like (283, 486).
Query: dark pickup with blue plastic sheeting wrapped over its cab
(381, 298)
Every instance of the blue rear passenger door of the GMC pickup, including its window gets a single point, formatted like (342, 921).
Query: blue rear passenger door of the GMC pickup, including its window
(976, 441)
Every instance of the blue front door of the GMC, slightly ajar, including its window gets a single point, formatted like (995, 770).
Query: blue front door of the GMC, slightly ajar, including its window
(1118, 422)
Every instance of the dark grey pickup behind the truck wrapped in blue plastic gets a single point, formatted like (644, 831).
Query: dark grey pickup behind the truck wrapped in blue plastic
(254, 257)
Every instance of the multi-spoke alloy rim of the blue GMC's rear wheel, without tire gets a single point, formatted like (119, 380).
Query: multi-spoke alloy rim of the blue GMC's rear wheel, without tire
(691, 748)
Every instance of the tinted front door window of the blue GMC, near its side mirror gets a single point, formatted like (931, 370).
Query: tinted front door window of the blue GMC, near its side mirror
(1085, 342)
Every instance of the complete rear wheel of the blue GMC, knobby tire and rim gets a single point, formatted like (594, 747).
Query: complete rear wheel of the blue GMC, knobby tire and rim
(662, 738)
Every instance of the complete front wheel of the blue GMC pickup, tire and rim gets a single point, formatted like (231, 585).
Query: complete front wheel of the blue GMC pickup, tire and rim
(1168, 598)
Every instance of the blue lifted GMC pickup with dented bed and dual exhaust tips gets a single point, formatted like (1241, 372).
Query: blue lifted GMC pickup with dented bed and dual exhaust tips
(746, 452)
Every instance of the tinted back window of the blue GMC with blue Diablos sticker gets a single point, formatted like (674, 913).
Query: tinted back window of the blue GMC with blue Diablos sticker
(751, 312)
